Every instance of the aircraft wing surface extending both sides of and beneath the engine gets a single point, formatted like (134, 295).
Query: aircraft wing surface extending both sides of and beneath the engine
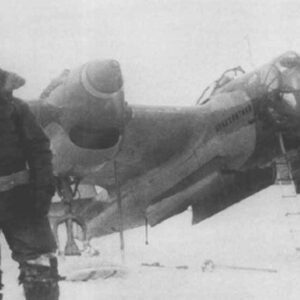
(153, 137)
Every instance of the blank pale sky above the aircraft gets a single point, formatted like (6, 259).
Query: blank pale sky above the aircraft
(169, 50)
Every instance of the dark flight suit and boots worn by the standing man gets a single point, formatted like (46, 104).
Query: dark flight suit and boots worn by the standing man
(24, 207)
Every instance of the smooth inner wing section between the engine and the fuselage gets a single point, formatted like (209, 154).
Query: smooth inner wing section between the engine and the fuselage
(154, 137)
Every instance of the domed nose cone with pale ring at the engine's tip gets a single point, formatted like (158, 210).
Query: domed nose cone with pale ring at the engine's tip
(102, 79)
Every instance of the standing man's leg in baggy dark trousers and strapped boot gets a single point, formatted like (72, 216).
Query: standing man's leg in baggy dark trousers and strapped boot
(32, 244)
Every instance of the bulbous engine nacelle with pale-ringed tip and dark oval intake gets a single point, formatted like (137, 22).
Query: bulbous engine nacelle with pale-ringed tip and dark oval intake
(91, 102)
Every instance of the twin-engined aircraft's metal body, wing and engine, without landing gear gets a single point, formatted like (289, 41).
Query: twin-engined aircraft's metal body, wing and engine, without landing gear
(160, 160)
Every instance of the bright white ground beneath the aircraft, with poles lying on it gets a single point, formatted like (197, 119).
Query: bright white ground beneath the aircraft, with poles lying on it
(254, 233)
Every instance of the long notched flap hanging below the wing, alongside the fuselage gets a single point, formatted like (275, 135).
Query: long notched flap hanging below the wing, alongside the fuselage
(211, 194)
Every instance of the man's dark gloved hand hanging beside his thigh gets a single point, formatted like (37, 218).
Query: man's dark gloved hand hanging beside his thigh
(43, 196)
